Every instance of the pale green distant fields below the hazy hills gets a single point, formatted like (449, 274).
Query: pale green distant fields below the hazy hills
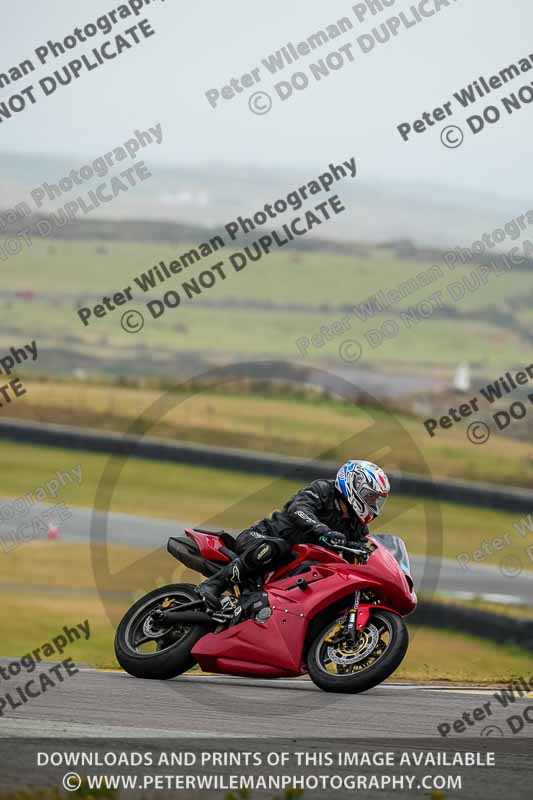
(64, 274)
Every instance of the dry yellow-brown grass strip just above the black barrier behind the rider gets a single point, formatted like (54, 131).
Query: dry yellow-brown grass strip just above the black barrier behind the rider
(299, 426)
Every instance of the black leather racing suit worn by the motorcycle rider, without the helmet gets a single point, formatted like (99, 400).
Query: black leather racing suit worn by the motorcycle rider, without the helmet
(311, 513)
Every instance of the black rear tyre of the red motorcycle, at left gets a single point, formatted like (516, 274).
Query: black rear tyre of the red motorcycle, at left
(173, 656)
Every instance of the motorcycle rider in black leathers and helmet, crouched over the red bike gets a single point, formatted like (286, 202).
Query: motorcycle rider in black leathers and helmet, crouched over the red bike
(328, 511)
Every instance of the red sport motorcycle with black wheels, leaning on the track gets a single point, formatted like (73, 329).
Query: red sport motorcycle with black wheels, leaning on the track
(340, 622)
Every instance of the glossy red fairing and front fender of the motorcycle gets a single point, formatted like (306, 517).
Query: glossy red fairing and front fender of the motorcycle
(276, 647)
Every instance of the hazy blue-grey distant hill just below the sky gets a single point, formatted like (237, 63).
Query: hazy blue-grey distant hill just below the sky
(212, 194)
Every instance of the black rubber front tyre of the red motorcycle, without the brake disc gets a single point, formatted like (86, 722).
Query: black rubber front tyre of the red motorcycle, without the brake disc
(368, 676)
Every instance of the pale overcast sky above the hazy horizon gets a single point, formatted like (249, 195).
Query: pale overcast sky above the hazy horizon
(201, 45)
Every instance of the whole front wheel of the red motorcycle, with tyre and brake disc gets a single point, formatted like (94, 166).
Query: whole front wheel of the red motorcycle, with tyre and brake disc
(340, 666)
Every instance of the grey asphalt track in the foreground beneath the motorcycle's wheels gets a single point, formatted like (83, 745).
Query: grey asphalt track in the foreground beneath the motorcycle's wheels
(98, 703)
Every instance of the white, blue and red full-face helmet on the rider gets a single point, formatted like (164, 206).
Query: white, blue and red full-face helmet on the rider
(365, 486)
